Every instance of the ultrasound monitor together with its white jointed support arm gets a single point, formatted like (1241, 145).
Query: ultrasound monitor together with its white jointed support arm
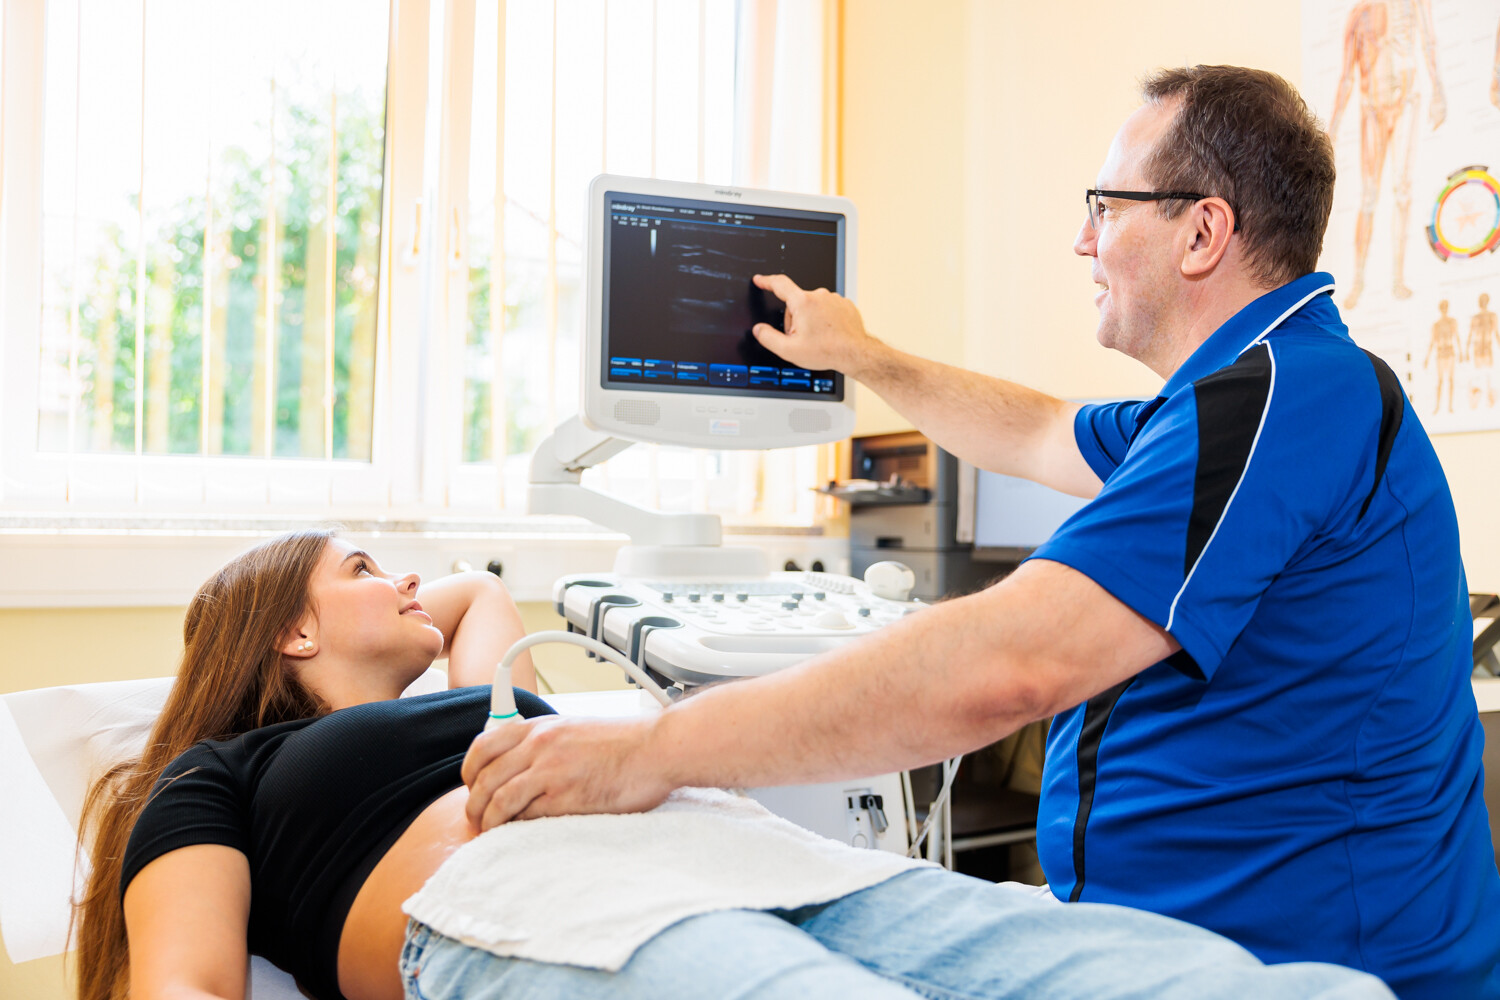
(670, 358)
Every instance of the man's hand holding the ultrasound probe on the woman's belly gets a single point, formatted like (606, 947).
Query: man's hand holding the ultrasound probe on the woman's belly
(562, 767)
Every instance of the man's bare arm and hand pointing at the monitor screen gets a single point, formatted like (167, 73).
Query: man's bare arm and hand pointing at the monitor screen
(988, 422)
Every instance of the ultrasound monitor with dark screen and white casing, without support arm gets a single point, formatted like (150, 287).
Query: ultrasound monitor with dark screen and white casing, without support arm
(670, 356)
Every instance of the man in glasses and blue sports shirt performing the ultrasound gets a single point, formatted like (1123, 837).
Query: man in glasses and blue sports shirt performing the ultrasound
(1255, 638)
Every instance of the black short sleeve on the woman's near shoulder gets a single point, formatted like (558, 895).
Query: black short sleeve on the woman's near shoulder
(199, 800)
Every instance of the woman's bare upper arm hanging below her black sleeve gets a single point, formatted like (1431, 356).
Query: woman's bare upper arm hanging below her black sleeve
(187, 915)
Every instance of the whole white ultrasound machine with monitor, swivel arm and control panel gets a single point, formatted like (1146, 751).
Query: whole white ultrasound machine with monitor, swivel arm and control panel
(670, 359)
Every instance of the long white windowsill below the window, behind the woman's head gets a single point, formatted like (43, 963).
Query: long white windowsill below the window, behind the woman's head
(50, 560)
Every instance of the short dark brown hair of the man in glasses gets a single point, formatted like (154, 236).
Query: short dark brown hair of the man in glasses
(1247, 137)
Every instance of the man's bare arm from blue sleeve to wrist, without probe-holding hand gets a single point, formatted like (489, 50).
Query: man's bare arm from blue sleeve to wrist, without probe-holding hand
(946, 681)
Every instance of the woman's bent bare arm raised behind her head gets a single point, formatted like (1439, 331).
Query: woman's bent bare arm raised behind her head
(479, 623)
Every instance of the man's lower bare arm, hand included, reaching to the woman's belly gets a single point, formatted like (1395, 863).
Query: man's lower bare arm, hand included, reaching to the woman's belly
(949, 680)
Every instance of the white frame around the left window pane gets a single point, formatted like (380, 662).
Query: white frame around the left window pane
(32, 479)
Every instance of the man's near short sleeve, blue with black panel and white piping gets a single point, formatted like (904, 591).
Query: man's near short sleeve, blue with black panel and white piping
(1213, 501)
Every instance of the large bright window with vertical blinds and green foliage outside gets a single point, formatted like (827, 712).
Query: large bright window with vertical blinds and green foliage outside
(296, 256)
